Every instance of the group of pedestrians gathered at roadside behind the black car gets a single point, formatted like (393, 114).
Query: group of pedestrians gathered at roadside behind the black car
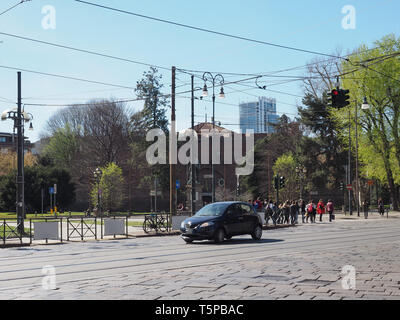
(288, 212)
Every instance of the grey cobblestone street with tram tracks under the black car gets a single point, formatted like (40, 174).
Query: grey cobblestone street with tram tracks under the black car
(304, 263)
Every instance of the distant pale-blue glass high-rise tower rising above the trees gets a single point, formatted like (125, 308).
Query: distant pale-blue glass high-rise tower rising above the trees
(258, 116)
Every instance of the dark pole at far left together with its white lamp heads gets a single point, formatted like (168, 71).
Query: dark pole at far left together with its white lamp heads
(19, 117)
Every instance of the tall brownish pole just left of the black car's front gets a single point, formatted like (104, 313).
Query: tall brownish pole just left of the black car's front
(172, 149)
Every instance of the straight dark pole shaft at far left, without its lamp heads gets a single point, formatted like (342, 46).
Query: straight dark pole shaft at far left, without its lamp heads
(20, 161)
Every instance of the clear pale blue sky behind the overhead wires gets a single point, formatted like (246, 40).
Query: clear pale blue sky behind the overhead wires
(307, 24)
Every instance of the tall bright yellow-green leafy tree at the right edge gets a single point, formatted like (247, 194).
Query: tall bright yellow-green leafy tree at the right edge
(374, 74)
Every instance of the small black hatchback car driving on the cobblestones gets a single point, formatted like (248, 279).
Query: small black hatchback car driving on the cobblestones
(222, 220)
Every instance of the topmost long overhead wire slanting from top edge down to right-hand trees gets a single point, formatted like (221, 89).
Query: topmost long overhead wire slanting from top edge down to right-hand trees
(207, 30)
